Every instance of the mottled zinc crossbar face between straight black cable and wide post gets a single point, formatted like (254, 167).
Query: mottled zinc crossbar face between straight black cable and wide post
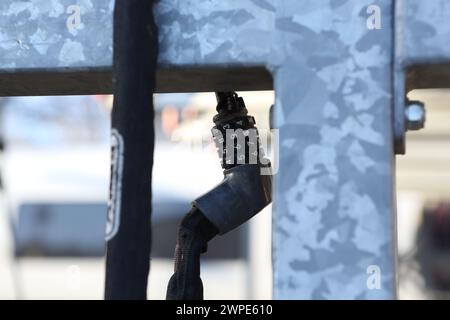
(215, 32)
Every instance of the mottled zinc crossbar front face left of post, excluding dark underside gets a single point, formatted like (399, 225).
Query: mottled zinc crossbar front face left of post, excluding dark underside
(46, 34)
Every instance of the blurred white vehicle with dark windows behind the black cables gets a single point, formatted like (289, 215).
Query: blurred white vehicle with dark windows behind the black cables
(56, 175)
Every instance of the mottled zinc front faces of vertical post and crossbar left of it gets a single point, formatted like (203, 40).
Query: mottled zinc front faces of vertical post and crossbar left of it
(334, 209)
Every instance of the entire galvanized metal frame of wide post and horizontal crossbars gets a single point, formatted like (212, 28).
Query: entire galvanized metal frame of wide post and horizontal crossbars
(340, 80)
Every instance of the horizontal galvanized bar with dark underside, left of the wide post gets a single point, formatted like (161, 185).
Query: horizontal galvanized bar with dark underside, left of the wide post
(68, 45)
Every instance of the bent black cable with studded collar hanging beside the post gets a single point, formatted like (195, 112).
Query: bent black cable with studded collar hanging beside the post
(244, 191)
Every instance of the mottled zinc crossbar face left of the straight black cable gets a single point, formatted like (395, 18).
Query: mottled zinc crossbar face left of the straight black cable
(45, 34)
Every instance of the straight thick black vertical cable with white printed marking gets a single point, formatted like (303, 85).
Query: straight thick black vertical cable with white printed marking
(128, 228)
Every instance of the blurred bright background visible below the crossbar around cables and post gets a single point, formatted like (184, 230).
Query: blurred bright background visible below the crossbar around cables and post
(54, 171)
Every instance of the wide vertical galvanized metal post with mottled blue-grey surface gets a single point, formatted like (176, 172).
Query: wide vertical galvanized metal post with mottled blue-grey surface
(334, 231)
